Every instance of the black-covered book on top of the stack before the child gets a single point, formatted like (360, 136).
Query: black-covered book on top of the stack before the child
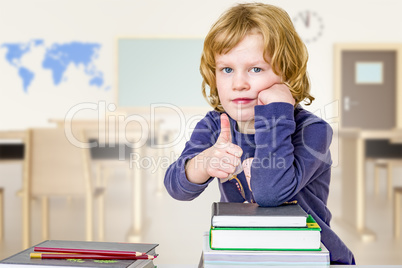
(252, 215)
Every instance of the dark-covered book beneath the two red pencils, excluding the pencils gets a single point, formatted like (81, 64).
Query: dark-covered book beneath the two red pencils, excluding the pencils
(23, 260)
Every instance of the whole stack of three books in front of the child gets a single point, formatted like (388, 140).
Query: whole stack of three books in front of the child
(247, 235)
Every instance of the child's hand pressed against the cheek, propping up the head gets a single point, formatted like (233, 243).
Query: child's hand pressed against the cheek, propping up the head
(276, 93)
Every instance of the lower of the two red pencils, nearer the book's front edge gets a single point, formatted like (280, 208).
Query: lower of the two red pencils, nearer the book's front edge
(89, 256)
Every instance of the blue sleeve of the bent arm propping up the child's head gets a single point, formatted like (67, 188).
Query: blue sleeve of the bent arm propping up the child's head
(288, 156)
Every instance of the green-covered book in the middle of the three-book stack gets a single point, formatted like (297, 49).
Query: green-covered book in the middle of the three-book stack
(298, 238)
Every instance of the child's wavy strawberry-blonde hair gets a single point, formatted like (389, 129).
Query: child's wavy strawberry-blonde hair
(282, 45)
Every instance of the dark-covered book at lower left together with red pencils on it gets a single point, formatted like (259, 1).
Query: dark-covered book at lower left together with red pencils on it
(51, 253)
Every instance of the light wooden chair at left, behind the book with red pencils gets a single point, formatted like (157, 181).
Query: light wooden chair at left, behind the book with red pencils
(53, 166)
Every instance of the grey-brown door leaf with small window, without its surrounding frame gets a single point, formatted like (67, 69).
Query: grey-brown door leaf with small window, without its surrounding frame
(368, 89)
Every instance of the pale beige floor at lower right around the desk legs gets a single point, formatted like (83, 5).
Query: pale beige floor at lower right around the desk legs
(385, 249)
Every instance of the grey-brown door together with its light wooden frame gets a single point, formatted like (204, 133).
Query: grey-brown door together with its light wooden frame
(367, 86)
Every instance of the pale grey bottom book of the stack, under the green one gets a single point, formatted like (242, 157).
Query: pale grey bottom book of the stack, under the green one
(249, 258)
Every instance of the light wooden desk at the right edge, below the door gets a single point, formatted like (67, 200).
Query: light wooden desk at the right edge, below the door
(355, 149)
